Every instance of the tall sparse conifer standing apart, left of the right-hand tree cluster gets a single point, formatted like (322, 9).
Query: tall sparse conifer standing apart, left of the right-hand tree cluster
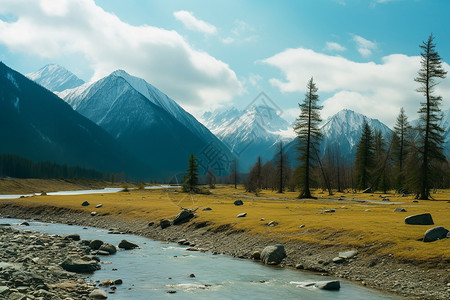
(308, 136)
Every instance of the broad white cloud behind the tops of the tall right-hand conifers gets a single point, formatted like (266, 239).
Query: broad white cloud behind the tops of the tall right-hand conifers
(376, 90)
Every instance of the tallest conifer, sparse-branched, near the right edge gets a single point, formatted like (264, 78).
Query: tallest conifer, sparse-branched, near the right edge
(431, 134)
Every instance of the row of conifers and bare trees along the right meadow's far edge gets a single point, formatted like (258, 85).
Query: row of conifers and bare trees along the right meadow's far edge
(411, 160)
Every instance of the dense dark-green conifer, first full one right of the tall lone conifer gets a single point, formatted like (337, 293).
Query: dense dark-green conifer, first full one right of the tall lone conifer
(364, 161)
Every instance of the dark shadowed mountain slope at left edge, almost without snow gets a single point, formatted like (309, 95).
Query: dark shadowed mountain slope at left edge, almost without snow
(38, 125)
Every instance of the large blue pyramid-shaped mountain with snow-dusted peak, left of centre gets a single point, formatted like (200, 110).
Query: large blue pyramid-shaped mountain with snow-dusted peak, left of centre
(151, 124)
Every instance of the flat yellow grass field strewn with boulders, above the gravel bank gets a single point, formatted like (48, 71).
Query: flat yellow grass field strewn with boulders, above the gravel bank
(370, 225)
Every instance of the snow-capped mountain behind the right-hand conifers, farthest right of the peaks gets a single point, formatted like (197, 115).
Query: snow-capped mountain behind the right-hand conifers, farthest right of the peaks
(341, 133)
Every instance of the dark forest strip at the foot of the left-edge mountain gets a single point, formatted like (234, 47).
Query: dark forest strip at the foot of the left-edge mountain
(19, 167)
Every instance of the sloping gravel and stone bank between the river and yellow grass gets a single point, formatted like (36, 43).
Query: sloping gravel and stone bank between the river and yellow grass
(364, 267)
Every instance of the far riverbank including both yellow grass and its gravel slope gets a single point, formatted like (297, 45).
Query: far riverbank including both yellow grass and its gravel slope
(391, 257)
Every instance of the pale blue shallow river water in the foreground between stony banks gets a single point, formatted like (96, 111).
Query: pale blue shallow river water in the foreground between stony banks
(146, 271)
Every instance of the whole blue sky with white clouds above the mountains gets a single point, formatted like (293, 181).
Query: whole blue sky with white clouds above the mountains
(363, 54)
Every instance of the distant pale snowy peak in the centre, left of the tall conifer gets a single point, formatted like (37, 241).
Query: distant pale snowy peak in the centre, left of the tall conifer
(249, 133)
